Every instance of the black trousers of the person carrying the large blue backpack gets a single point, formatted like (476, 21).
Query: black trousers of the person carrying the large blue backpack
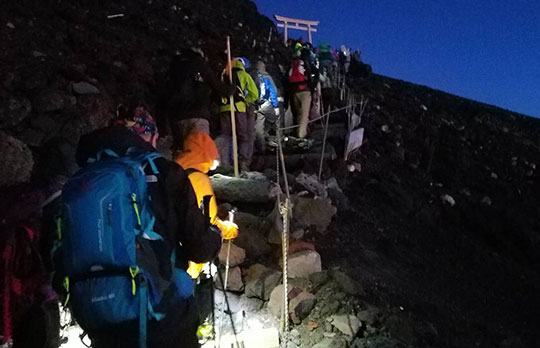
(177, 330)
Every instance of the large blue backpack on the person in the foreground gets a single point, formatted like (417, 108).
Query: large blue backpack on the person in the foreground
(108, 242)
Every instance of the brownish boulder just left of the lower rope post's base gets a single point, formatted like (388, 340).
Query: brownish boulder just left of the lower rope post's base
(260, 281)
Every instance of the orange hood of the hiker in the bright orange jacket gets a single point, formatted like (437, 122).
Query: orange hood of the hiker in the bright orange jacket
(199, 153)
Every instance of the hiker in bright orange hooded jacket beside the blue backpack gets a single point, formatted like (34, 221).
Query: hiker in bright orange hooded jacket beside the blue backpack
(199, 155)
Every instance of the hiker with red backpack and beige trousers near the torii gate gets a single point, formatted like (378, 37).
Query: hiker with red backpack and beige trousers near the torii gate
(300, 85)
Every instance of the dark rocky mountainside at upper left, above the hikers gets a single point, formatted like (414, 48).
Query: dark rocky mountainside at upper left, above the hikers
(50, 45)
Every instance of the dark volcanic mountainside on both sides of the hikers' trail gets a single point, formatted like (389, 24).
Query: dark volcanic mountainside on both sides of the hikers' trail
(443, 276)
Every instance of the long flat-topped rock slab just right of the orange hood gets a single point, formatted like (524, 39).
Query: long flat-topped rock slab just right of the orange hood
(232, 189)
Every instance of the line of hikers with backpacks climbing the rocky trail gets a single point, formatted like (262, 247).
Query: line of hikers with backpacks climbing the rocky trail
(133, 229)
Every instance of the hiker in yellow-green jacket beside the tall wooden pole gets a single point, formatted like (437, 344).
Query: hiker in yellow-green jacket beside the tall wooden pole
(245, 95)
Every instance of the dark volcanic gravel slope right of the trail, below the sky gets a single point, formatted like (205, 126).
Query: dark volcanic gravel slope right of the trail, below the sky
(468, 271)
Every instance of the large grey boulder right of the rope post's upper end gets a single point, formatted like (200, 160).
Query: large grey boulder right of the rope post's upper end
(314, 213)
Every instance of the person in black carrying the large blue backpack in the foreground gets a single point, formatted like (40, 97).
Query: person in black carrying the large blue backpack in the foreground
(129, 286)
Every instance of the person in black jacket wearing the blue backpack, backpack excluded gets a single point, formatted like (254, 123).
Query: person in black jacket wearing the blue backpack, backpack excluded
(178, 220)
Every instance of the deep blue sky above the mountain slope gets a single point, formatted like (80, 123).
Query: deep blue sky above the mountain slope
(483, 50)
